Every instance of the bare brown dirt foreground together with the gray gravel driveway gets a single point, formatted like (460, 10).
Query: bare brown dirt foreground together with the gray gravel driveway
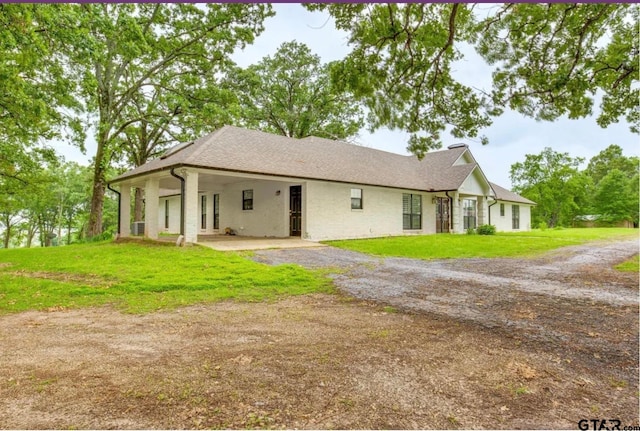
(498, 343)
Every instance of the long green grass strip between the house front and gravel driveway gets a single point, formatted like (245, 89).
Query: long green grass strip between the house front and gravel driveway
(444, 246)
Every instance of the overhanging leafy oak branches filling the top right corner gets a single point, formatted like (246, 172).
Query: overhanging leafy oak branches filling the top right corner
(556, 56)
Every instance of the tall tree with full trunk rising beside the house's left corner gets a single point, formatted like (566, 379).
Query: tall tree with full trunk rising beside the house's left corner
(119, 50)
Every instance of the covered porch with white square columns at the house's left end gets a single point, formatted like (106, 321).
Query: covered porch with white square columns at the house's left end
(191, 202)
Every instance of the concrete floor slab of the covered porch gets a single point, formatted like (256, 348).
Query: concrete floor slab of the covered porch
(237, 243)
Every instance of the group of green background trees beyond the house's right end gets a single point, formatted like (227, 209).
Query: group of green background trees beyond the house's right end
(605, 192)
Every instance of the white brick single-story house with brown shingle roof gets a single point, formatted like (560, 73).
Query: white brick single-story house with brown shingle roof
(265, 185)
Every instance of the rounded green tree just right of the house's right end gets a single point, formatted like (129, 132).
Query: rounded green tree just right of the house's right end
(553, 181)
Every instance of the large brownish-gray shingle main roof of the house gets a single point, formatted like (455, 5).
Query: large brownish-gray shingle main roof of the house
(240, 150)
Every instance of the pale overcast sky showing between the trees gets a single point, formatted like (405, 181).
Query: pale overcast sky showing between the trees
(511, 136)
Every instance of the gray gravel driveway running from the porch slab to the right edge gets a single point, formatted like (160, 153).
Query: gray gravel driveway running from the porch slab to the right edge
(569, 299)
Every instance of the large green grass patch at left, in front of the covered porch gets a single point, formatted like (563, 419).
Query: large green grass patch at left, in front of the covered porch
(141, 277)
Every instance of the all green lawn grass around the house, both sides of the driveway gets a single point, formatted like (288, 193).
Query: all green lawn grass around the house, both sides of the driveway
(141, 277)
